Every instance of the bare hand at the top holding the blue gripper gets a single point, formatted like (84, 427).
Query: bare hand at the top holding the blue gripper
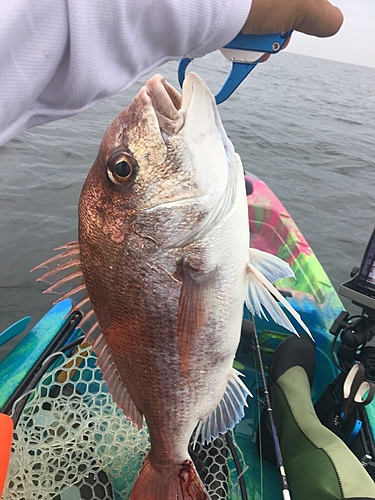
(313, 17)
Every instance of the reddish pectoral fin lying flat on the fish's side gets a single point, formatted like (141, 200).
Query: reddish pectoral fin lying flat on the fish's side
(193, 306)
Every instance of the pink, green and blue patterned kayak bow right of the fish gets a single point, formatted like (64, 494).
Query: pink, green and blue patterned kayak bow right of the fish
(312, 294)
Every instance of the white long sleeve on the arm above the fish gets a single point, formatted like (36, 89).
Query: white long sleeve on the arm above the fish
(58, 57)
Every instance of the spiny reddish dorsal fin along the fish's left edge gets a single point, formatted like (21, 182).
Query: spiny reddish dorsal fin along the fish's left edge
(65, 277)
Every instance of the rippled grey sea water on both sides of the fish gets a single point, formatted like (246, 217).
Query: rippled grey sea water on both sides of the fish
(305, 126)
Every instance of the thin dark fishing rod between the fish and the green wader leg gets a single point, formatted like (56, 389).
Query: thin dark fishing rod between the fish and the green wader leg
(267, 404)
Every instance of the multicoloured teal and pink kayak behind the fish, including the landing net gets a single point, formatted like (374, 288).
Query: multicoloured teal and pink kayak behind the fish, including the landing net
(71, 442)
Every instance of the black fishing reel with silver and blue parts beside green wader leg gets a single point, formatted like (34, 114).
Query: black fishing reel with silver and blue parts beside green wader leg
(354, 332)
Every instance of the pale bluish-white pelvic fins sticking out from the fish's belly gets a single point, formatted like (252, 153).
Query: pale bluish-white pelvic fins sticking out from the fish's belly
(262, 295)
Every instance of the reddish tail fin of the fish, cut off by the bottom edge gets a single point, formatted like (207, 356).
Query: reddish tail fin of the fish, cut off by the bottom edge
(168, 482)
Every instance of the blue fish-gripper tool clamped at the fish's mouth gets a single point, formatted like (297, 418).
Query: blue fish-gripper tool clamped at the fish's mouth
(244, 51)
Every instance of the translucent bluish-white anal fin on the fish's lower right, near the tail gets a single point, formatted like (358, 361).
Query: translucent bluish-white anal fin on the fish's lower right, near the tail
(228, 412)
